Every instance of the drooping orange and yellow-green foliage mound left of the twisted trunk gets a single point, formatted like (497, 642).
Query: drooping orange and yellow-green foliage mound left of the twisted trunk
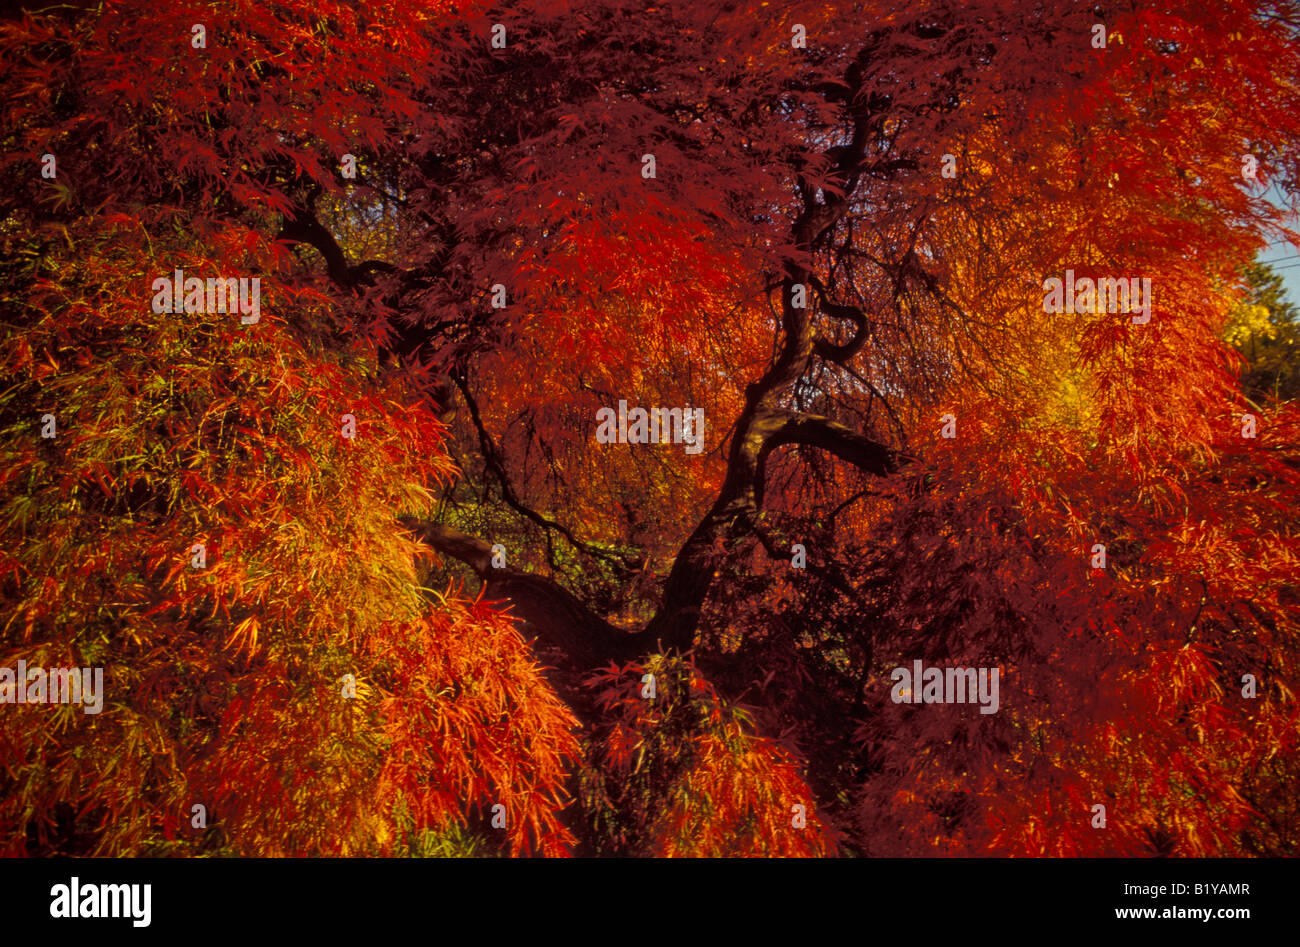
(201, 527)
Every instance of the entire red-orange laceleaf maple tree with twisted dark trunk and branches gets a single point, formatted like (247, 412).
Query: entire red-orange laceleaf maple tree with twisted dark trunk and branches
(457, 624)
